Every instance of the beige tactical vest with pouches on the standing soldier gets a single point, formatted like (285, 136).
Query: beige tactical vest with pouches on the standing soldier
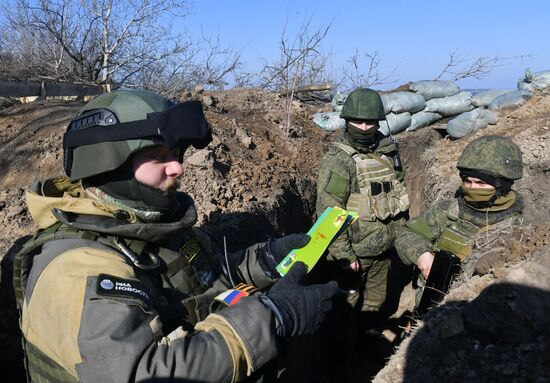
(381, 195)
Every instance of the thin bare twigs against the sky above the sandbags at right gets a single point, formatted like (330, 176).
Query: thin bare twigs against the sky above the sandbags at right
(459, 66)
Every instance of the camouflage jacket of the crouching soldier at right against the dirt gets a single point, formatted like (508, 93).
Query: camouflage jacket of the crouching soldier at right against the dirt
(477, 227)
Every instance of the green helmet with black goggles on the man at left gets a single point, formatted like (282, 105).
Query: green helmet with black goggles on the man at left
(113, 126)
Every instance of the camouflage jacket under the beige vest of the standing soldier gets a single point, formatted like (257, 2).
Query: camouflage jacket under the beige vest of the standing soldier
(337, 179)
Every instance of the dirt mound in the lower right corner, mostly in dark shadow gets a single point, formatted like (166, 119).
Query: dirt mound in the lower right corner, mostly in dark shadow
(489, 329)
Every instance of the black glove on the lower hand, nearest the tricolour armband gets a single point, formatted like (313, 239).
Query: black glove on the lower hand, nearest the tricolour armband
(299, 309)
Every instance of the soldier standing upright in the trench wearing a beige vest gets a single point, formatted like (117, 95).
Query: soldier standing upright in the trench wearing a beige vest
(363, 172)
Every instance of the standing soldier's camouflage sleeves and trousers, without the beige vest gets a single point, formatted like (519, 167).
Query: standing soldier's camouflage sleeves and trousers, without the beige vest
(366, 242)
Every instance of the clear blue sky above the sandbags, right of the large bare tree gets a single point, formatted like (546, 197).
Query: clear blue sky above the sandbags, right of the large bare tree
(415, 37)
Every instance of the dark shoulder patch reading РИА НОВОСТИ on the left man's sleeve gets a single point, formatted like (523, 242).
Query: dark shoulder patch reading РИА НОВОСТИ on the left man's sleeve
(115, 287)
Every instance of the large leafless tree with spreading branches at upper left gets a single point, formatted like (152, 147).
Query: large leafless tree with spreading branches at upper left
(127, 42)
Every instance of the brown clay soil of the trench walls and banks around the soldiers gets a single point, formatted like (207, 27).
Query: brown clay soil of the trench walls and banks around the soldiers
(257, 179)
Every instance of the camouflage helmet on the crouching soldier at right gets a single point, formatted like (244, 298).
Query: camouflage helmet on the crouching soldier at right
(493, 155)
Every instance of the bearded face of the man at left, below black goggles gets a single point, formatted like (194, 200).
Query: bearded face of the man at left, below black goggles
(157, 167)
